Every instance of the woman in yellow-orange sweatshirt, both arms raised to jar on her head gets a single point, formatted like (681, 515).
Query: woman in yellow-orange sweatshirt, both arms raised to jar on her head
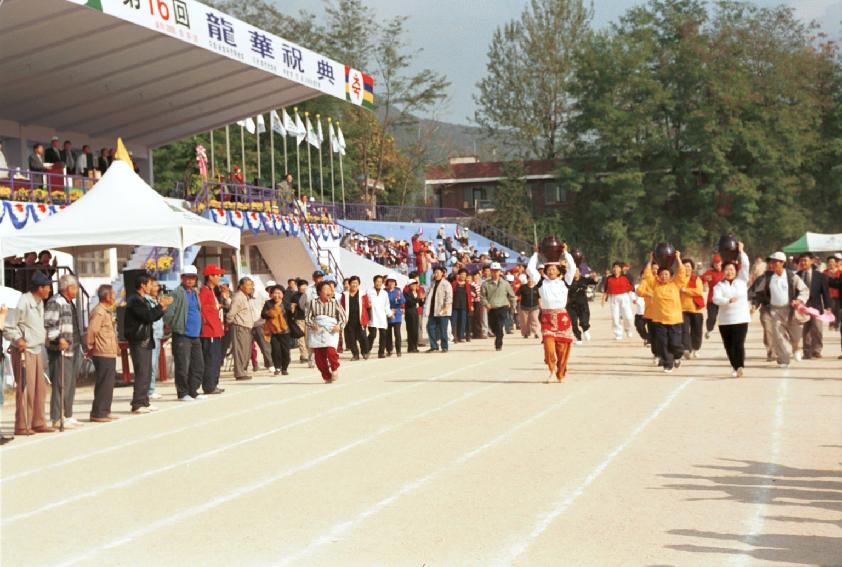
(667, 316)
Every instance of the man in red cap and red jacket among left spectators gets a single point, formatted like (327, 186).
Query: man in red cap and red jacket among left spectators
(212, 329)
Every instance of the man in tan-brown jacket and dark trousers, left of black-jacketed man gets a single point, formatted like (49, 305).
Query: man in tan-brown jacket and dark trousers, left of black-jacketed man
(101, 346)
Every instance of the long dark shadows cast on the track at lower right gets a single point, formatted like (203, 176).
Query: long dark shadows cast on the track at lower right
(754, 483)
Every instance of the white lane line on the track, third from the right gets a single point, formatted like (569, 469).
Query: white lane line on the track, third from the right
(341, 530)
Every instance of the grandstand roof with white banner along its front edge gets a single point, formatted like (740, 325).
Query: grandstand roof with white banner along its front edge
(108, 68)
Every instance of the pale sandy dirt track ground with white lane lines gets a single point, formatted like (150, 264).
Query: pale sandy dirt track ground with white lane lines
(464, 458)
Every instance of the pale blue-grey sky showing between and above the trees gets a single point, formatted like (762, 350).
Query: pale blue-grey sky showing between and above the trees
(453, 35)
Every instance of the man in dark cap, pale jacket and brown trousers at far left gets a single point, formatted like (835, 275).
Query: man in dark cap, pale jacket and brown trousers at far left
(26, 333)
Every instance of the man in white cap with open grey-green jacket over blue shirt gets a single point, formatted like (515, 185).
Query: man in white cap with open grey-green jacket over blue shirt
(185, 320)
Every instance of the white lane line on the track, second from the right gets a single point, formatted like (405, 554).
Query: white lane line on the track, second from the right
(568, 497)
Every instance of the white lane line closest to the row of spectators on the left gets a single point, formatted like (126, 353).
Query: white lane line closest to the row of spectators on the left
(204, 423)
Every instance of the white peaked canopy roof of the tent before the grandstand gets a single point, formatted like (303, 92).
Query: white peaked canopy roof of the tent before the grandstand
(120, 210)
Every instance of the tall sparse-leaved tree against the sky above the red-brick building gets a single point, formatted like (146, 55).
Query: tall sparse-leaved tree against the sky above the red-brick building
(531, 60)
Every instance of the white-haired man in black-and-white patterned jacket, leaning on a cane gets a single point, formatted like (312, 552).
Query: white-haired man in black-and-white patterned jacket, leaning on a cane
(64, 349)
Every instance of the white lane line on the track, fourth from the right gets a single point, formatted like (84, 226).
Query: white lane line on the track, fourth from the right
(186, 513)
